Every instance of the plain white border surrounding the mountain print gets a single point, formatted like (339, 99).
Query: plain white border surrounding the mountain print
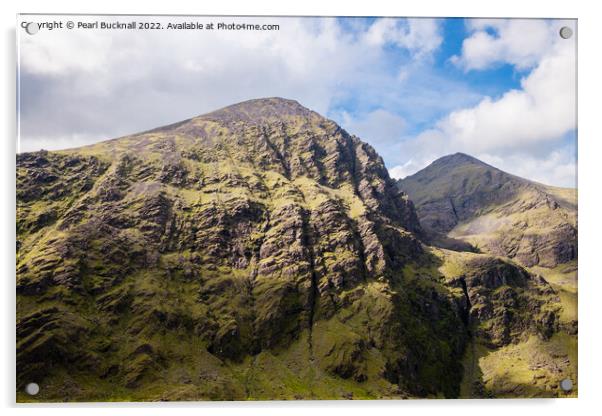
(590, 201)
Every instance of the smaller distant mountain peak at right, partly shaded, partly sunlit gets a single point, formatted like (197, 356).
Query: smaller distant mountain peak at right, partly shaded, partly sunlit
(461, 199)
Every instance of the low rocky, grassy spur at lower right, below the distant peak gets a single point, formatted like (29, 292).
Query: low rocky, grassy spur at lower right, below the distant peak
(520, 344)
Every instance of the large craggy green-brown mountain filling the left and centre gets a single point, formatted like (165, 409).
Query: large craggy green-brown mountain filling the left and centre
(254, 235)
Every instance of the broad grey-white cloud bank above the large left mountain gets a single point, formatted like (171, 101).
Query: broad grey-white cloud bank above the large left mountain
(104, 84)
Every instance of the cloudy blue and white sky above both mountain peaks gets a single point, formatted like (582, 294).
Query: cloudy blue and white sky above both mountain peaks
(502, 90)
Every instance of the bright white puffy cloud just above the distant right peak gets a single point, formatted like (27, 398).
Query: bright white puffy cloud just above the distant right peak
(543, 110)
